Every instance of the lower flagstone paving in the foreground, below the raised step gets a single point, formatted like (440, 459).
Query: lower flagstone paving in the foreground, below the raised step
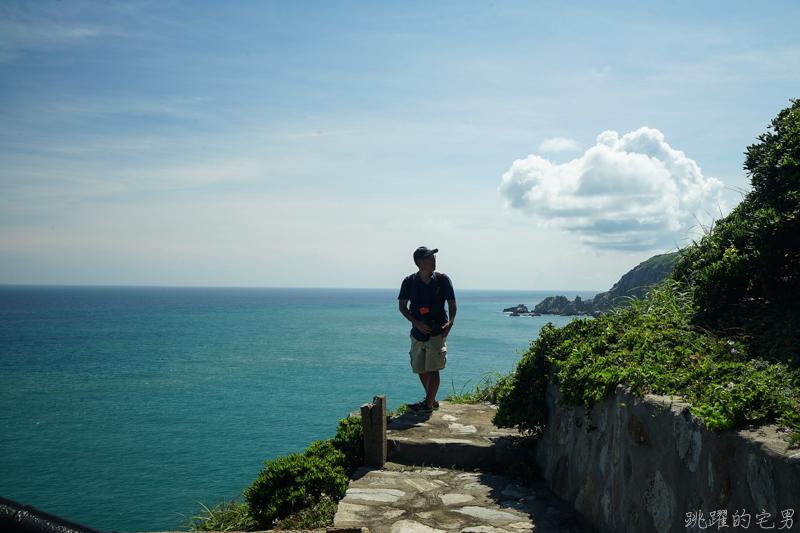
(400, 499)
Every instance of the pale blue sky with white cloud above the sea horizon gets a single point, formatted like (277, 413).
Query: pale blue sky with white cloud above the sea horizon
(537, 145)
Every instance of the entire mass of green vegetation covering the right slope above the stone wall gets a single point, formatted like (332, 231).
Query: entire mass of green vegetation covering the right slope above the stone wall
(722, 333)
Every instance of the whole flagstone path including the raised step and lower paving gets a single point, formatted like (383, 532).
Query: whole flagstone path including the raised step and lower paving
(407, 498)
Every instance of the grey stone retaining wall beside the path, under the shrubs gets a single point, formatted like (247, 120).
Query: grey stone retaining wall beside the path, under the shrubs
(648, 465)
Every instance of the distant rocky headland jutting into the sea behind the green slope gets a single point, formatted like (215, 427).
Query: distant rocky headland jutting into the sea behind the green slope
(634, 284)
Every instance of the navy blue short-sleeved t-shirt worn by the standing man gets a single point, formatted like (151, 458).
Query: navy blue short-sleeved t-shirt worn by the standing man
(423, 295)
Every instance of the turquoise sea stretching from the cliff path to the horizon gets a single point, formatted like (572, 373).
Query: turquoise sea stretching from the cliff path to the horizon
(120, 406)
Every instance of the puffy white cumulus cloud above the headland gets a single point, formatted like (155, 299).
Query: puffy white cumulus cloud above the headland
(629, 193)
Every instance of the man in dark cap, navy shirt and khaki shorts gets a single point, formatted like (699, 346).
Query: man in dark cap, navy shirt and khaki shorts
(427, 291)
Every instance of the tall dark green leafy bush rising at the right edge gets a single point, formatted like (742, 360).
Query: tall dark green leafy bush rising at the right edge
(746, 270)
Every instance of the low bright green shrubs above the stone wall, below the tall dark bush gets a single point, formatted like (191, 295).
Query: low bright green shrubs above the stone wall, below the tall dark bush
(652, 347)
